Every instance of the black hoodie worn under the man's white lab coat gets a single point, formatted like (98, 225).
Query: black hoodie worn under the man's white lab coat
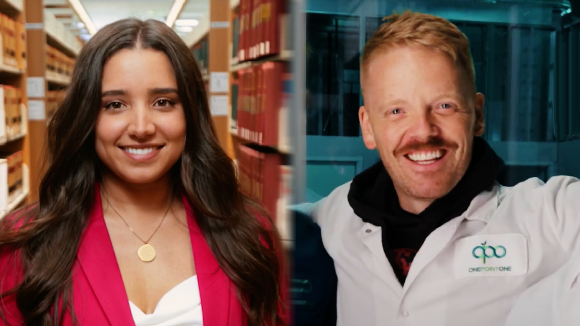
(373, 198)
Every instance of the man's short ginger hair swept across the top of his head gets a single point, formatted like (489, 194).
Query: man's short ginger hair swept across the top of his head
(417, 29)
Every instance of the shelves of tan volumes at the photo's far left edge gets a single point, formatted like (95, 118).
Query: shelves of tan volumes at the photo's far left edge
(13, 113)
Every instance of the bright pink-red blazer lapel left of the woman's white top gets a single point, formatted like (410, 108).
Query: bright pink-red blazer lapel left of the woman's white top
(99, 265)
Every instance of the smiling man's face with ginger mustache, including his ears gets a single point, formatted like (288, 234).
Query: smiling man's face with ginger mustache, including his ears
(421, 118)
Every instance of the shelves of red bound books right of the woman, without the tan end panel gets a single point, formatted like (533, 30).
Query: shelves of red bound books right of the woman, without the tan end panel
(260, 82)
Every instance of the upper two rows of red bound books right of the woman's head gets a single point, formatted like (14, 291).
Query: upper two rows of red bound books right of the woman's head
(259, 67)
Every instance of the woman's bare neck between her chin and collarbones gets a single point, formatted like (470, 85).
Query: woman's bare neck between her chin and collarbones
(142, 201)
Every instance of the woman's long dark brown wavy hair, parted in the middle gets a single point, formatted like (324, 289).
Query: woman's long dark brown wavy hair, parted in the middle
(47, 234)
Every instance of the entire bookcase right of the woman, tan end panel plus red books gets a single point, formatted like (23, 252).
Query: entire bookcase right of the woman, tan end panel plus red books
(258, 91)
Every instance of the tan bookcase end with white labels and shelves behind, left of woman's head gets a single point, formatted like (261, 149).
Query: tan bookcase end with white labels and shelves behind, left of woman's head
(52, 50)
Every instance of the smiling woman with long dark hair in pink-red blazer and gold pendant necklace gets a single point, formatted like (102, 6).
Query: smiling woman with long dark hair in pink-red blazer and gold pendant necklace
(140, 218)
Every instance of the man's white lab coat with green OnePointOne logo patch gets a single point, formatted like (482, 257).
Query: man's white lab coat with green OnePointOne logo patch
(537, 223)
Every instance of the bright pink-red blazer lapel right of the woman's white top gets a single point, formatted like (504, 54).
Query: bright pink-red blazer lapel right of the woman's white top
(216, 289)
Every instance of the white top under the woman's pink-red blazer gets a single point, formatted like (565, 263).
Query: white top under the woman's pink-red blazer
(180, 306)
